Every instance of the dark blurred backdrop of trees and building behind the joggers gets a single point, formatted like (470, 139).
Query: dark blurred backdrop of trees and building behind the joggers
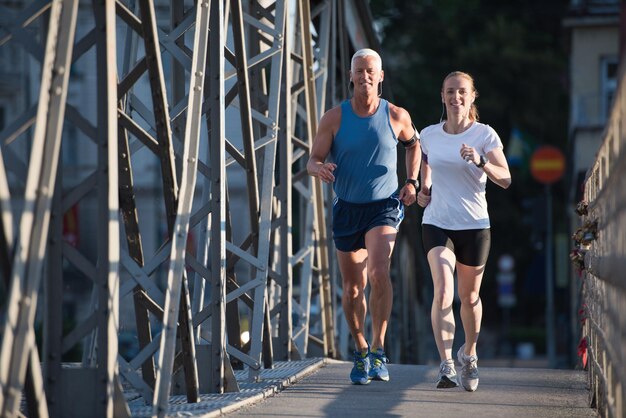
(546, 74)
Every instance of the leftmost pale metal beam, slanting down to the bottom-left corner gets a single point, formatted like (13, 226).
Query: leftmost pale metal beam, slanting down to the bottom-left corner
(18, 351)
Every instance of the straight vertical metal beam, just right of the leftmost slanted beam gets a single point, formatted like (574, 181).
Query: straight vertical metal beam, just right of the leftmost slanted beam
(107, 273)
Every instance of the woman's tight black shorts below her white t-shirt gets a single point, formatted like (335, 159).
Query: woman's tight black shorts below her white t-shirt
(470, 246)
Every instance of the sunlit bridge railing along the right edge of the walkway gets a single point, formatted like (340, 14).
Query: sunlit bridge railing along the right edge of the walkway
(602, 252)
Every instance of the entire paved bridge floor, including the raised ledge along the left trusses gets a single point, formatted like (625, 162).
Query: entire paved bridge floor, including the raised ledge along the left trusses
(321, 388)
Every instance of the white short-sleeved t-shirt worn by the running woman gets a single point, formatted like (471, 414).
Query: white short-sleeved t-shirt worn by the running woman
(458, 198)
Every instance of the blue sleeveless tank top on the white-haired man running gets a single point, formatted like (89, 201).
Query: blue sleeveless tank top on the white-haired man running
(364, 150)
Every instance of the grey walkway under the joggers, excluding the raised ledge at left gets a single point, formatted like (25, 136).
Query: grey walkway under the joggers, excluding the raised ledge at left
(411, 392)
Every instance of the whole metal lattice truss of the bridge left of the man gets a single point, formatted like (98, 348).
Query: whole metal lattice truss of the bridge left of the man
(216, 98)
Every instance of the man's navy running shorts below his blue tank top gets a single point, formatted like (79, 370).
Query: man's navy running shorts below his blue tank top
(351, 221)
